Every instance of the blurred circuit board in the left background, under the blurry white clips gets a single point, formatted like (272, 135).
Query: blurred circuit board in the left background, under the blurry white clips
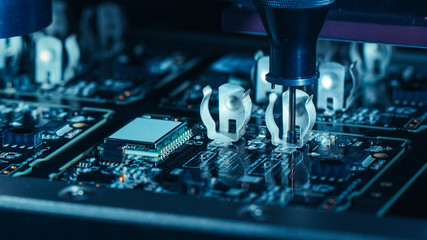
(121, 80)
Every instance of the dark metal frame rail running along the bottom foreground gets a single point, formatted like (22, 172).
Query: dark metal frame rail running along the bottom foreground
(183, 214)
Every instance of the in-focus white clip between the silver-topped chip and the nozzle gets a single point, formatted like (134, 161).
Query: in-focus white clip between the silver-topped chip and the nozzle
(234, 105)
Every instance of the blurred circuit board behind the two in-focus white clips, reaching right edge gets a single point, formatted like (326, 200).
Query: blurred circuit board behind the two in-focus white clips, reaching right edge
(394, 109)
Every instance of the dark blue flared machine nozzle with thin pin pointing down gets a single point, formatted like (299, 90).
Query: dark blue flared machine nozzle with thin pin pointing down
(293, 27)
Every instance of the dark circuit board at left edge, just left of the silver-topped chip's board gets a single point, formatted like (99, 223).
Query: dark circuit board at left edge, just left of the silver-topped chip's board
(35, 132)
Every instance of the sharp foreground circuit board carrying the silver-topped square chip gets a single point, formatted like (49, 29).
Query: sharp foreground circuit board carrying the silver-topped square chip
(326, 174)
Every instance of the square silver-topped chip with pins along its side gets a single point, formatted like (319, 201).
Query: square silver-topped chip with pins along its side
(152, 139)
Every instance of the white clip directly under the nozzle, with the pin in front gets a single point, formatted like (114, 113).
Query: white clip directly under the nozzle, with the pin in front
(305, 119)
